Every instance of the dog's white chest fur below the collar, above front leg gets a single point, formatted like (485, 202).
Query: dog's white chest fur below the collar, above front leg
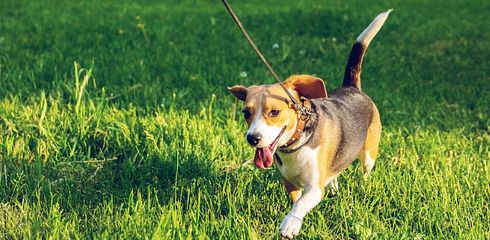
(300, 167)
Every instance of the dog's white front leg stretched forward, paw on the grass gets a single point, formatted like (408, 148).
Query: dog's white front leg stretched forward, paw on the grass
(291, 224)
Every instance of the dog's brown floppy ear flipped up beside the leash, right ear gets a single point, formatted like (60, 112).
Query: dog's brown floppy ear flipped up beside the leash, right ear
(307, 86)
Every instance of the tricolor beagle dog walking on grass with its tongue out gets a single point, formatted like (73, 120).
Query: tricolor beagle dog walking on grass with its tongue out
(311, 150)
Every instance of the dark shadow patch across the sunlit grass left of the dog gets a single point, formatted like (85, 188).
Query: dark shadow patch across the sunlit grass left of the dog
(87, 183)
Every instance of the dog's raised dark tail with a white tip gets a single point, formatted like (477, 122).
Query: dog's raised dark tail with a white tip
(352, 75)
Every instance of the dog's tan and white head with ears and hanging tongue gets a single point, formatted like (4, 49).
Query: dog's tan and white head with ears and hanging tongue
(270, 114)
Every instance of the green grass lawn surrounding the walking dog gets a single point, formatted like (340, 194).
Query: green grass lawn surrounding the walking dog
(139, 140)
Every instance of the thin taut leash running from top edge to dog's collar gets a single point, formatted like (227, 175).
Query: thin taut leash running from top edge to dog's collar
(304, 111)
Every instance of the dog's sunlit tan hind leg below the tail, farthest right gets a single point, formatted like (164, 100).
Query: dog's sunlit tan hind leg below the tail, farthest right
(369, 151)
